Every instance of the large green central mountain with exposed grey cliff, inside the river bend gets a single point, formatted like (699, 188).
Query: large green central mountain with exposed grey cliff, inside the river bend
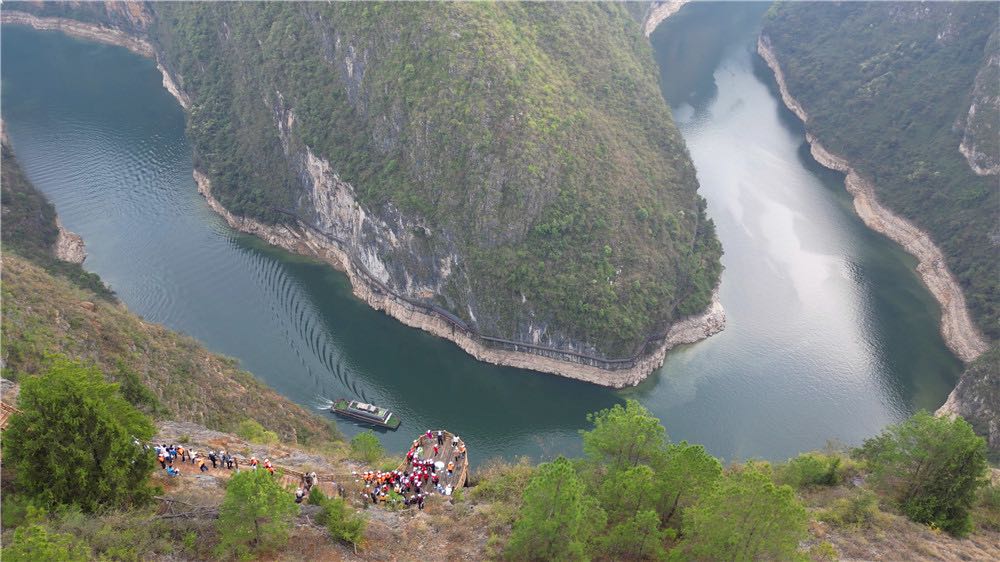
(513, 163)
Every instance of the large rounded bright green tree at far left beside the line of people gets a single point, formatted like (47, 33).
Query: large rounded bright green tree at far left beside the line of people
(77, 441)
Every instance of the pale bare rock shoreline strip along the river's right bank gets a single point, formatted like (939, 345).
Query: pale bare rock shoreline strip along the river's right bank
(959, 332)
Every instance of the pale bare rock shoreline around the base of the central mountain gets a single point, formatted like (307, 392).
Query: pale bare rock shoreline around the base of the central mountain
(304, 241)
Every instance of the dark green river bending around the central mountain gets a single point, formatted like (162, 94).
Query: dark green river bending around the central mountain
(830, 336)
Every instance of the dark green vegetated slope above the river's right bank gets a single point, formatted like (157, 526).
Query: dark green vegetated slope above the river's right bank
(889, 86)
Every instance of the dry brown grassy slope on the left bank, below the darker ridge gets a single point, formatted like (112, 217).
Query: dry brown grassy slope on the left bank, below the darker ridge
(43, 314)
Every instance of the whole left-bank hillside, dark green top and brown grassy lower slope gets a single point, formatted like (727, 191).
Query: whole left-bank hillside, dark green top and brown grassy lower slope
(52, 307)
